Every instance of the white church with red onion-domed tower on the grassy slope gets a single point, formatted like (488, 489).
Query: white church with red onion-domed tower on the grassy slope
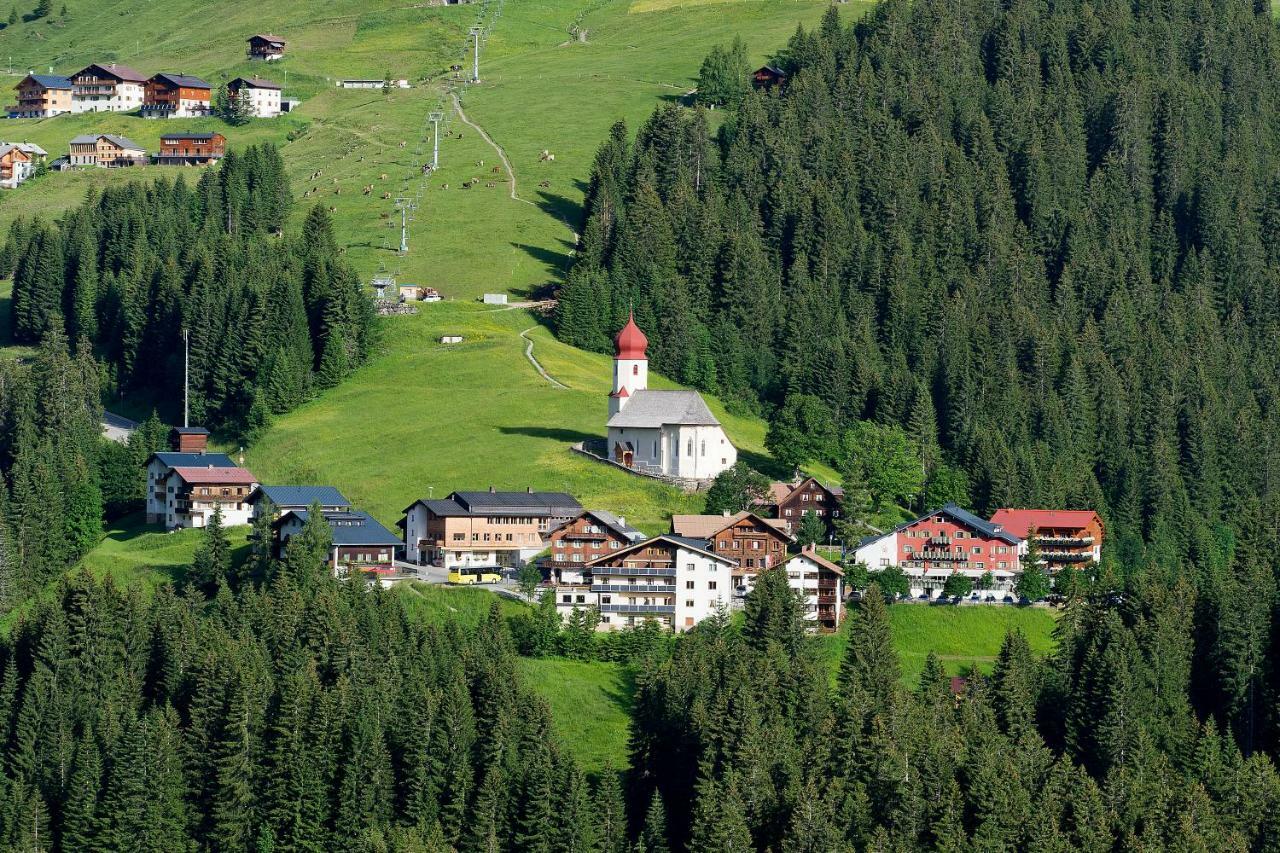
(669, 434)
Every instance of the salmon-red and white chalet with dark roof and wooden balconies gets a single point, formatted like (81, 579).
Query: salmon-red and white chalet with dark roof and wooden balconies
(944, 542)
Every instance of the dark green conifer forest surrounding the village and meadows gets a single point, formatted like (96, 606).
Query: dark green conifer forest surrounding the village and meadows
(1039, 243)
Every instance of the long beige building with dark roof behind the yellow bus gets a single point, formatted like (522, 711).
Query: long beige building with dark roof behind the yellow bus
(470, 530)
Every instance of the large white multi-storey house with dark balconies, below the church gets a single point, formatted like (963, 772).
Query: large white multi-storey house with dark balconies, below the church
(674, 581)
